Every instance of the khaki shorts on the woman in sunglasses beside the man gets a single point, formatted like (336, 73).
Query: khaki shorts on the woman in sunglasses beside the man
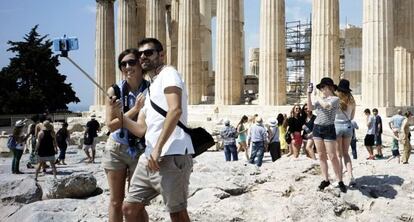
(116, 157)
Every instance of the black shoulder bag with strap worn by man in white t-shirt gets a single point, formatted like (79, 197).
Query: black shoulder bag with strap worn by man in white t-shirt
(201, 139)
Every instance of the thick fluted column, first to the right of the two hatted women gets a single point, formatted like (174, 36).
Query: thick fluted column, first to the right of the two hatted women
(377, 53)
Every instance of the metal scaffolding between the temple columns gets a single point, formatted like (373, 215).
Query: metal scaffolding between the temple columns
(298, 50)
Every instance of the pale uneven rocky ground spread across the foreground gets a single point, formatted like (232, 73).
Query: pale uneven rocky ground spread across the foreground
(219, 191)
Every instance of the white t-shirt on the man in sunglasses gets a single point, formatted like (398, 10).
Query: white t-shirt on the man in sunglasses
(179, 141)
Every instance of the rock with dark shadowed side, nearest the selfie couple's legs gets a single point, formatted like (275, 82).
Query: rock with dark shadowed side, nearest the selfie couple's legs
(73, 186)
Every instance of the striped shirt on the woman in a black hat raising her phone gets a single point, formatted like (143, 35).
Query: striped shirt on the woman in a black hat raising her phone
(326, 117)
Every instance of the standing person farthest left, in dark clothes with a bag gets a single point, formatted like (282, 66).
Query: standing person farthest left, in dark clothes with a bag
(17, 144)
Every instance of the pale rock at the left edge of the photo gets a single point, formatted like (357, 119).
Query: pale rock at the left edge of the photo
(21, 189)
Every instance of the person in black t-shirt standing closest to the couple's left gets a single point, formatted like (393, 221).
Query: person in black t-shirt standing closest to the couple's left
(89, 139)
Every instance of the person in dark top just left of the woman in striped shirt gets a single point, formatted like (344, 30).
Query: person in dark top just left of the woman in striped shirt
(307, 131)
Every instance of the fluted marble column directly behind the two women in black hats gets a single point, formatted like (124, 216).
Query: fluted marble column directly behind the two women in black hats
(325, 40)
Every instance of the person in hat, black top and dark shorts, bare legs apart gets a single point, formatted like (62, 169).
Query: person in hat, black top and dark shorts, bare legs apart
(46, 147)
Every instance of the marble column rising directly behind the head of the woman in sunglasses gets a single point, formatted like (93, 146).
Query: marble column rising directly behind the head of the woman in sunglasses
(126, 27)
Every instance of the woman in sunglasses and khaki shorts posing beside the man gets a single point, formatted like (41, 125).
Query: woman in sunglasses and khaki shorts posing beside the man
(122, 149)
